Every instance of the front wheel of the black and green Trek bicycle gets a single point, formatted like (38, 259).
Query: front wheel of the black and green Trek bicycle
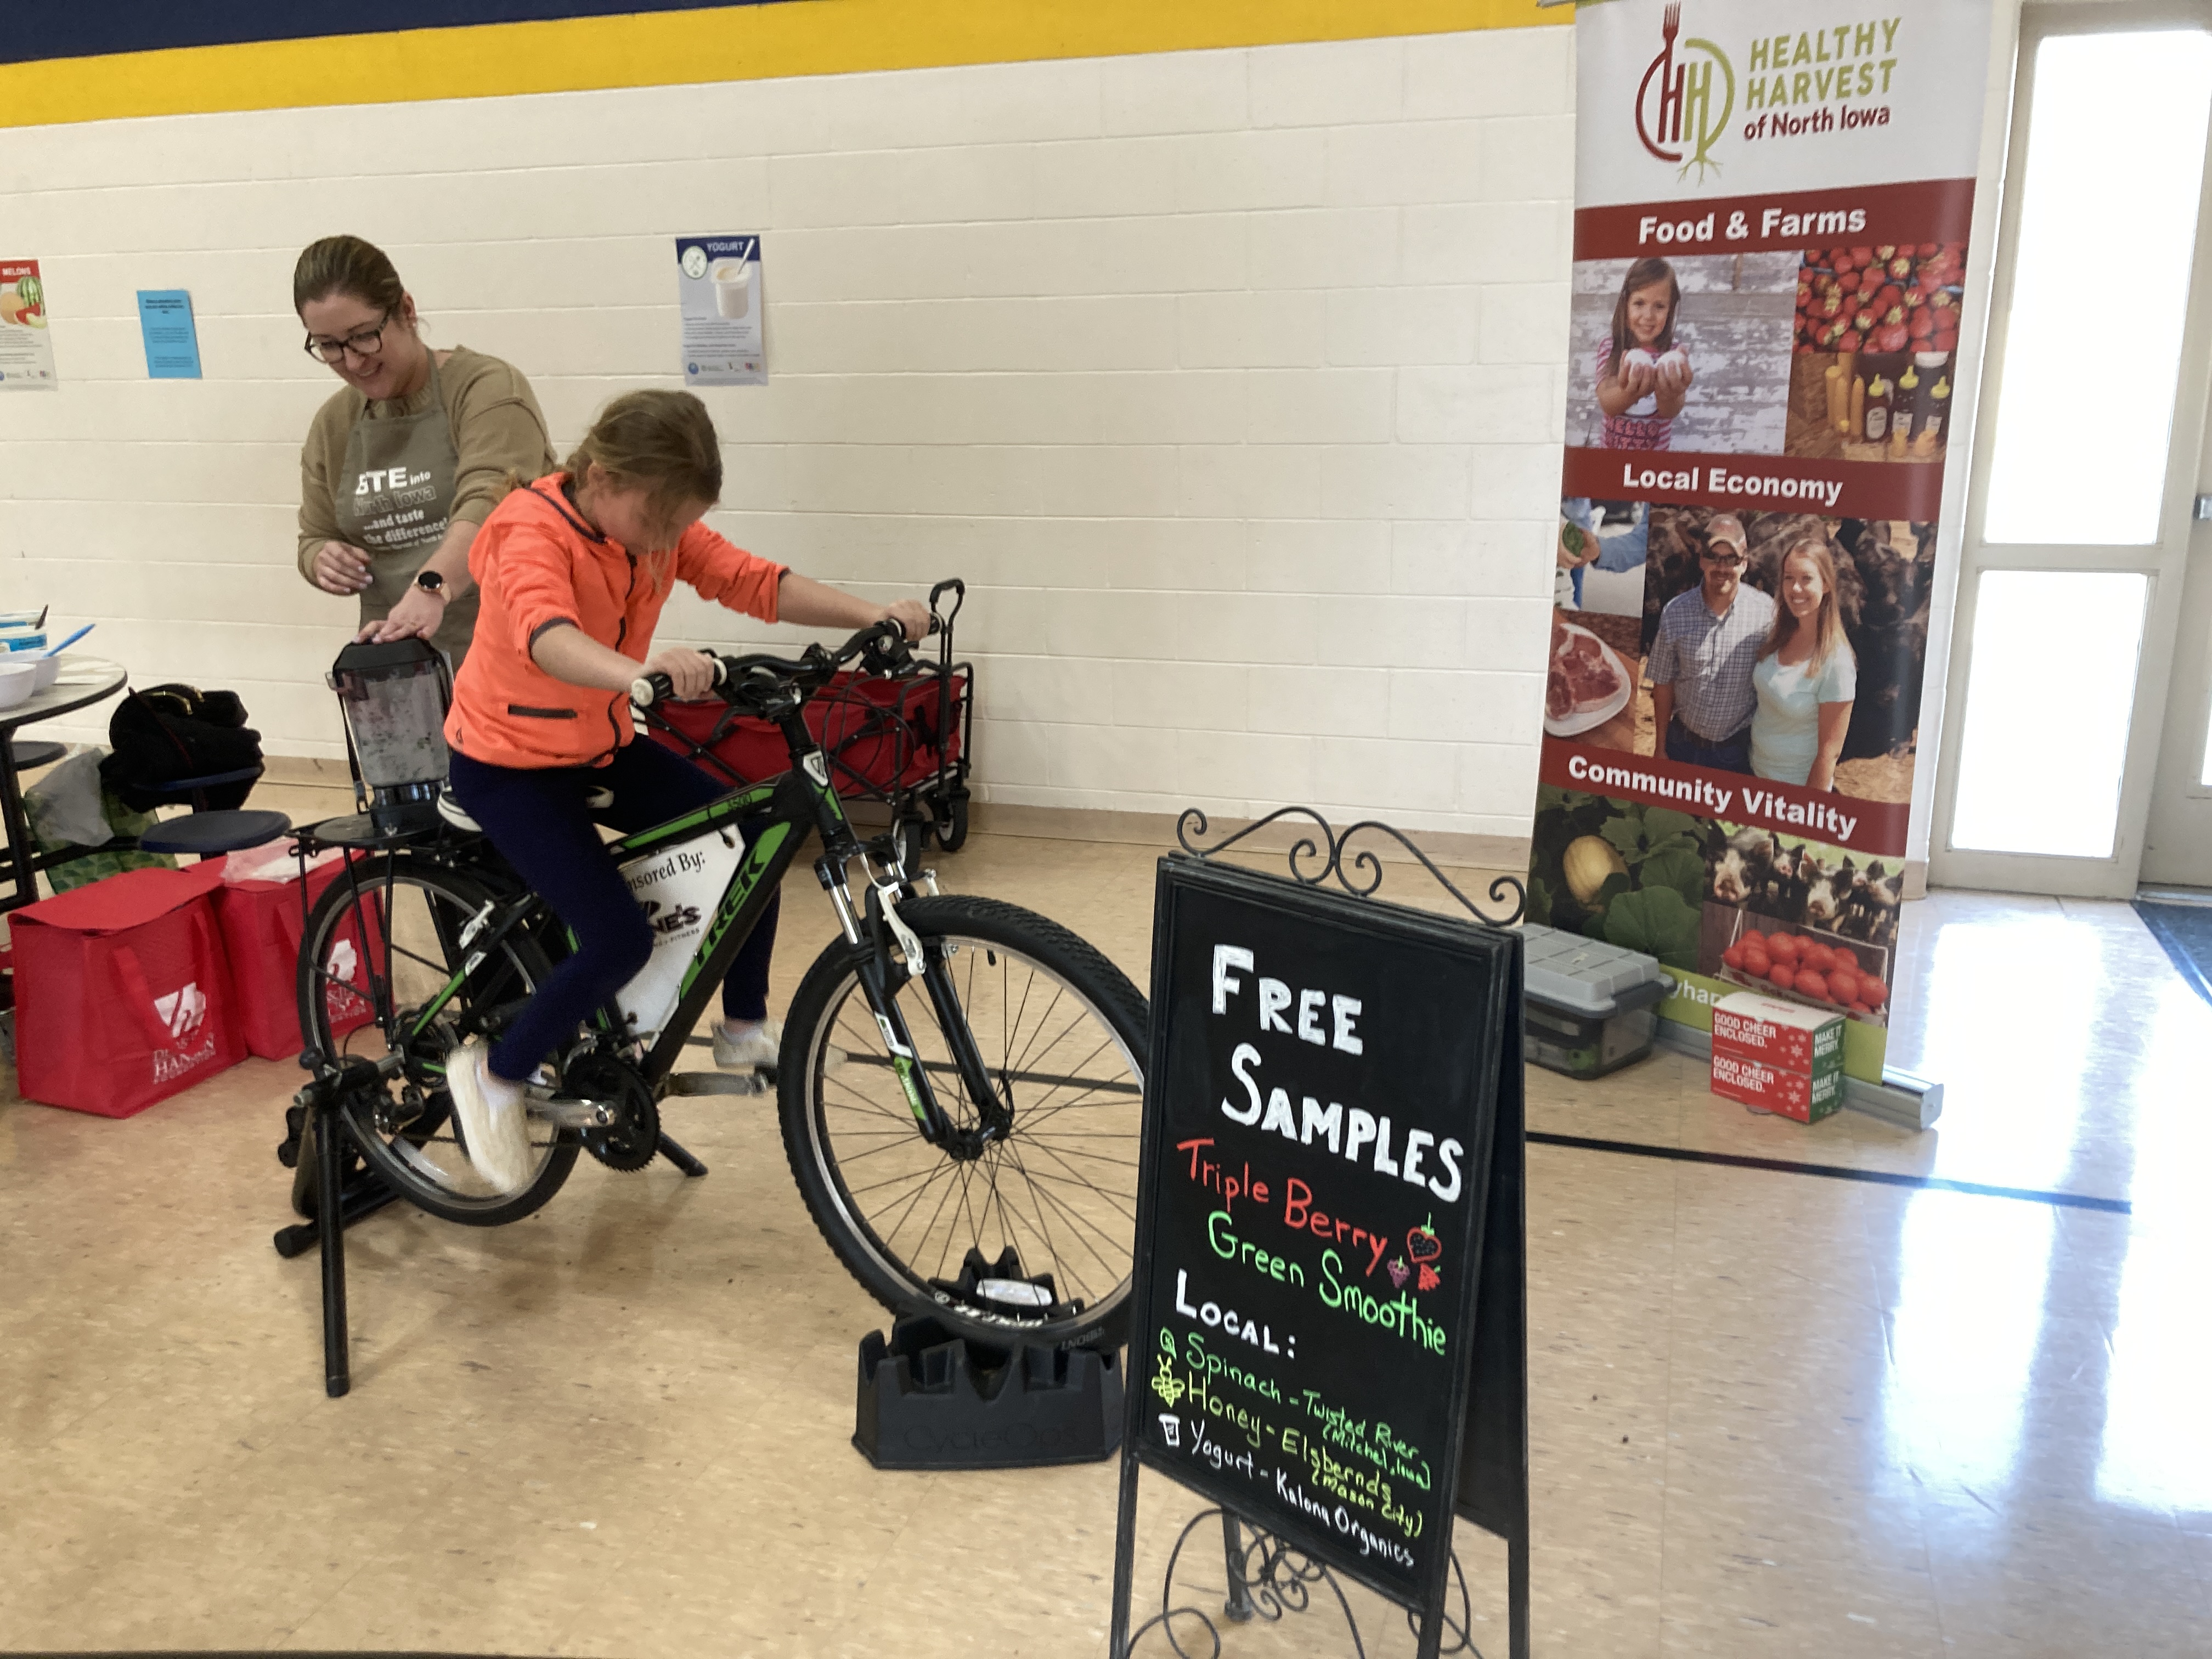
(1061, 1032)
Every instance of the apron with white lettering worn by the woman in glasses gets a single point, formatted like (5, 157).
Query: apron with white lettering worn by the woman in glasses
(395, 503)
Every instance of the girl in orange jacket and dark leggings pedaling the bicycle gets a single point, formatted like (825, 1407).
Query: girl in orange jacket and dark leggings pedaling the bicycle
(574, 574)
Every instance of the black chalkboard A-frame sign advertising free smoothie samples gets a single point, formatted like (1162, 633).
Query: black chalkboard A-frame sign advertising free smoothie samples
(1328, 1331)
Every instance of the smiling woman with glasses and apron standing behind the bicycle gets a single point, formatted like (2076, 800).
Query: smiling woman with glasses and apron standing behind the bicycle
(408, 459)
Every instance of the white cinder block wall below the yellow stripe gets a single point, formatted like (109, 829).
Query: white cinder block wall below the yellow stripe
(1231, 382)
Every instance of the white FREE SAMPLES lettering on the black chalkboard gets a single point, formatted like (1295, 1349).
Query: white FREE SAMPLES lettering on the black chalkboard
(1350, 1134)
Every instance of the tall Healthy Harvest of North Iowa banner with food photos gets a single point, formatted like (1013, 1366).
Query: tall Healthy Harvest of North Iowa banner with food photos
(1773, 213)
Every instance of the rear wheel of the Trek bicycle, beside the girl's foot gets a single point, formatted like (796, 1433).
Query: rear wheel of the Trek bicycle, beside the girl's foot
(353, 928)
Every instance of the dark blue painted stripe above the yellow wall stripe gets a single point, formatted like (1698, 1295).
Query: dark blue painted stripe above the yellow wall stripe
(45, 32)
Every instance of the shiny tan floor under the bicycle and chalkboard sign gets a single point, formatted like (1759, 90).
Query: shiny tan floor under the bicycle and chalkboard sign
(1771, 1415)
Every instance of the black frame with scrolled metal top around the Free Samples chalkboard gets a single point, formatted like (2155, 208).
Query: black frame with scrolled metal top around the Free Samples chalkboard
(1490, 1408)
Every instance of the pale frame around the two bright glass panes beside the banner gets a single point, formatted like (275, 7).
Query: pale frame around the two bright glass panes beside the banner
(2164, 563)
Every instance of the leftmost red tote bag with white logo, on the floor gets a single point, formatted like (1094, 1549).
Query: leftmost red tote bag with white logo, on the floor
(123, 994)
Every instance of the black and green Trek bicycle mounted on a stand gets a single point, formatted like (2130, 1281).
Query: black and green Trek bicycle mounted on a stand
(959, 1078)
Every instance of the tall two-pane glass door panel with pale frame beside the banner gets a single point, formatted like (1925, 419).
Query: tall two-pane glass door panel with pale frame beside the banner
(2078, 521)
